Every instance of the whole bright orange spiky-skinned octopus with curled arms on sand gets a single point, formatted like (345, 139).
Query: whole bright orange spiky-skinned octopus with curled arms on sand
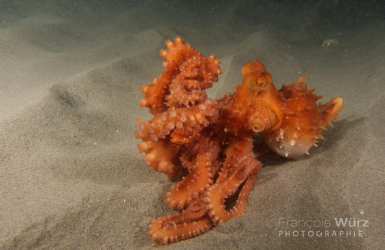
(208, 143)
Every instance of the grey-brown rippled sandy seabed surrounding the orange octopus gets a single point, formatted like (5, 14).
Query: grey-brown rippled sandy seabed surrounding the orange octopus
(70, 77)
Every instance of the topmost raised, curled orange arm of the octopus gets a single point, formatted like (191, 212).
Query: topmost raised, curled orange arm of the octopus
(187, 73)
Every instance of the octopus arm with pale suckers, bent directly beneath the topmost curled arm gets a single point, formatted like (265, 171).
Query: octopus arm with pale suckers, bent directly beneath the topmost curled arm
(182, 125)
